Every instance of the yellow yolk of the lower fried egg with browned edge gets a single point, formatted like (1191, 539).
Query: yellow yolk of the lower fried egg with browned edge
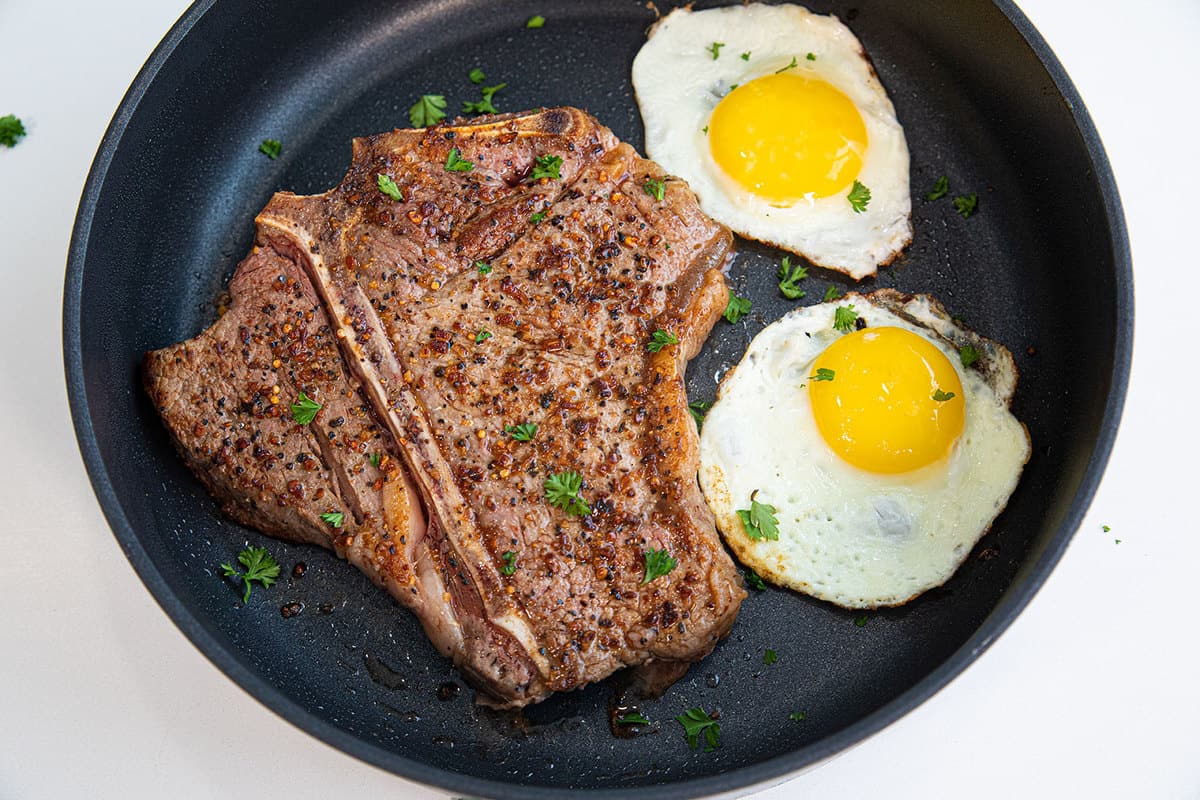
(885, 408)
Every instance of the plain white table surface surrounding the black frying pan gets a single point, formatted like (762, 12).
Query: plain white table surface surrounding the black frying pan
(1094, 693)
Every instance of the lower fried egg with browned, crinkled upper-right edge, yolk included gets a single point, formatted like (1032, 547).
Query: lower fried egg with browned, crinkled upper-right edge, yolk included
(881, 455)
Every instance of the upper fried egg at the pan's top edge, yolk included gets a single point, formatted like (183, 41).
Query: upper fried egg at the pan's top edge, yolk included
(777, 121)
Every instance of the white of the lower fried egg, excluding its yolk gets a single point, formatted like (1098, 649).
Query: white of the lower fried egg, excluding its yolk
(857, 539)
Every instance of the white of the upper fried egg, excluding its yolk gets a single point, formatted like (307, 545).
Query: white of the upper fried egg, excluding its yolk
(679, 83)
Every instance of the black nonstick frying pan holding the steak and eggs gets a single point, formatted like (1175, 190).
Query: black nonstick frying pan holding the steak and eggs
(1043, 267)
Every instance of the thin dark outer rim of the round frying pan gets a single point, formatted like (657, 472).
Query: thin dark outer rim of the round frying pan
(760, 774)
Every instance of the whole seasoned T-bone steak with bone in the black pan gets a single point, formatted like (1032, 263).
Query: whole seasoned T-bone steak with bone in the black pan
(428, 329)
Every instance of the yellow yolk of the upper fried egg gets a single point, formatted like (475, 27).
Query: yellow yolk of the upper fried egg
(785, 136)
